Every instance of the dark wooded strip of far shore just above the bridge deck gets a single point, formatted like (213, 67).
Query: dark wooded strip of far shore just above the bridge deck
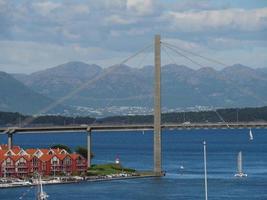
(8, 119)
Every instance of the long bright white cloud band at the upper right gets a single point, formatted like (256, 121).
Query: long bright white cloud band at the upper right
(228, 19)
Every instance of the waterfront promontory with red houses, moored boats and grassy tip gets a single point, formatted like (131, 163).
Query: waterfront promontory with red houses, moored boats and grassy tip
(19, 168)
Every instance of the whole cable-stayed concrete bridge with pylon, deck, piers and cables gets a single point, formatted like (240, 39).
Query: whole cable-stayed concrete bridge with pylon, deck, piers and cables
(157, 126)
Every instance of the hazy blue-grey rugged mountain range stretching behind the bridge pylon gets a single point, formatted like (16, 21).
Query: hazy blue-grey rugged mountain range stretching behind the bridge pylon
(234, 86)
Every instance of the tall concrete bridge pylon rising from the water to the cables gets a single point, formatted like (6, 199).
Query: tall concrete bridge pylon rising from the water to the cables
(157, 109)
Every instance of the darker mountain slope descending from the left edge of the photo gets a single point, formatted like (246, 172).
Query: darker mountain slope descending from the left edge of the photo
(17, 97)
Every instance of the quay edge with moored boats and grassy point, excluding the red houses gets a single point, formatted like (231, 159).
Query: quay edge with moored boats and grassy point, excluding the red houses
(100, 172)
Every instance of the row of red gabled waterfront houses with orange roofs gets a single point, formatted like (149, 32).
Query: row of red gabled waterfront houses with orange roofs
(18, 162)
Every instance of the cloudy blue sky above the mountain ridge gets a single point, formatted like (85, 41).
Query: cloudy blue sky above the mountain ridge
(38, 34)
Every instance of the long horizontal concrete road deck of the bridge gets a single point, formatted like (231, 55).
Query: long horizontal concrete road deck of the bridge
(130, 127)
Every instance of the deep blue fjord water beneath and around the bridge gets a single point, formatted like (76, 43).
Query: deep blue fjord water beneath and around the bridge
(179, 148)
